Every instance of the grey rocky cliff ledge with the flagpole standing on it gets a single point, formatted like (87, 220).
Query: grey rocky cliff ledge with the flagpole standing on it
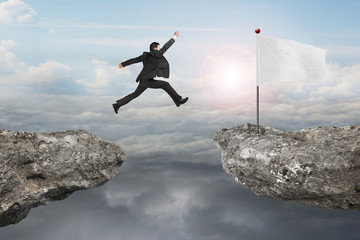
(317, 167)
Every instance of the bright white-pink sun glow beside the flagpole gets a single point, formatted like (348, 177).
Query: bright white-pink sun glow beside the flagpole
(228, 77)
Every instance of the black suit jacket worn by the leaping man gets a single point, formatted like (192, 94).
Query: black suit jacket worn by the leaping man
(155, 64)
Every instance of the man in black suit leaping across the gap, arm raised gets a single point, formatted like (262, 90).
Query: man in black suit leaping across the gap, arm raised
(154, 65)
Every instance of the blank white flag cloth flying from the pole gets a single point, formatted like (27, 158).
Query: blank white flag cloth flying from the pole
(287, 60)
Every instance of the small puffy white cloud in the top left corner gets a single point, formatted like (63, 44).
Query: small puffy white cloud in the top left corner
(16, 11)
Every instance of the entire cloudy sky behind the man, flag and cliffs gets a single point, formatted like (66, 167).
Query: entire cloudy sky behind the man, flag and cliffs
(58, 71)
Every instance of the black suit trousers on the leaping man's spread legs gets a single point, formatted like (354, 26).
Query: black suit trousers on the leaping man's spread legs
(150, 83)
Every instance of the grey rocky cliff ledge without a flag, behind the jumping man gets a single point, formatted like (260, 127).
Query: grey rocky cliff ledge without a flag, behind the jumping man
(38, 168)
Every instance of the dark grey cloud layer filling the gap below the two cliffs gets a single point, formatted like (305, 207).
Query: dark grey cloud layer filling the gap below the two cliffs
(169, 199)
